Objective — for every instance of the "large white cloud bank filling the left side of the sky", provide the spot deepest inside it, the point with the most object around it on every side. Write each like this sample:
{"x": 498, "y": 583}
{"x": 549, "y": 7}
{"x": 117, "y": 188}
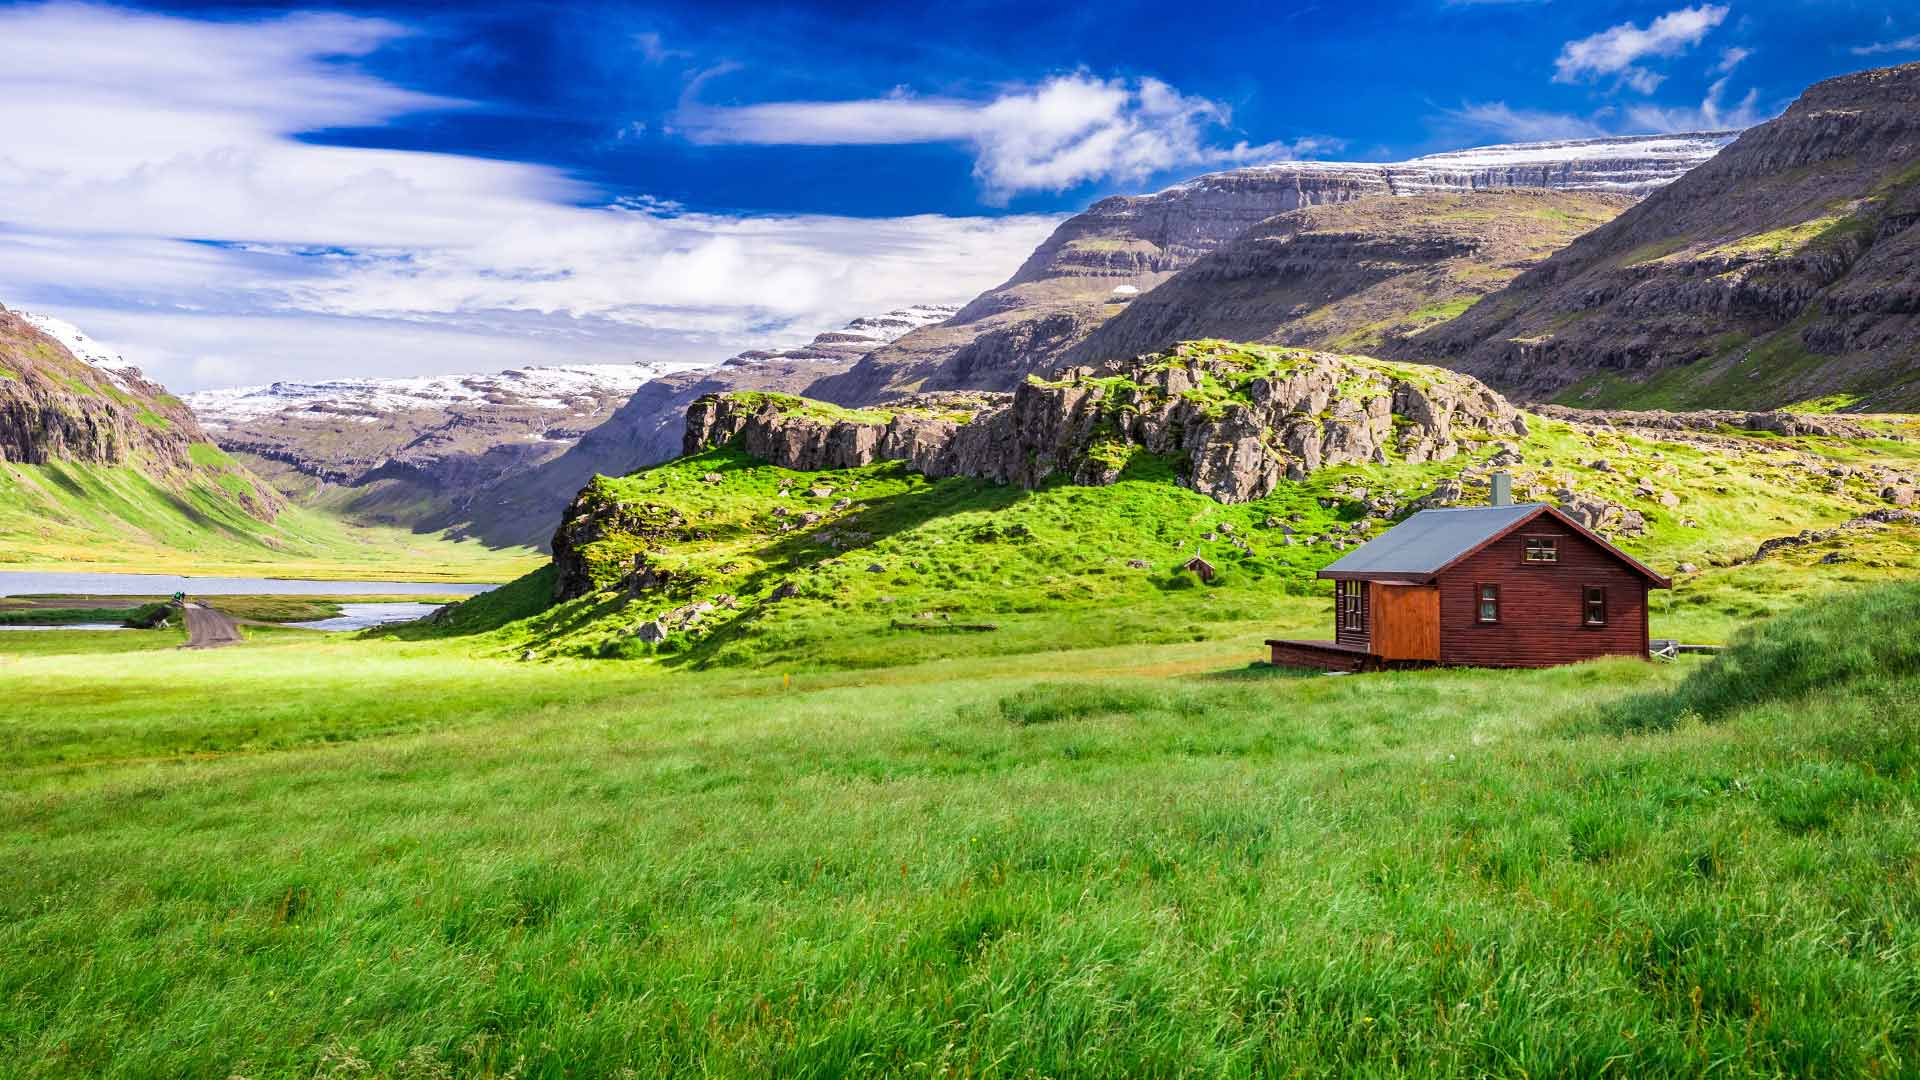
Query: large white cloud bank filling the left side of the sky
{"x": 151, "y": 166}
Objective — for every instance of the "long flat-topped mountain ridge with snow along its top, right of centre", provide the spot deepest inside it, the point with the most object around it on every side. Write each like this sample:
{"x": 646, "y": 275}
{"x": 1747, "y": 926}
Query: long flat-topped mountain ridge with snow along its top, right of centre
{"x": 1067, "y": 289}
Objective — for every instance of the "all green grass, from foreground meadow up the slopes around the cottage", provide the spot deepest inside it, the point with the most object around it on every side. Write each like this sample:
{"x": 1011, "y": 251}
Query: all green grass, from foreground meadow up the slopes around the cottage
{"x": 978, "y": 795}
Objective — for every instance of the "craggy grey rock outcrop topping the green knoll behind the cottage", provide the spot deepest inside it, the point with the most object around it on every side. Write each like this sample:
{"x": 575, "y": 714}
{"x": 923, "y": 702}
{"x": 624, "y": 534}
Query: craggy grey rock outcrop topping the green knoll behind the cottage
{"x": 1236, "y": 420}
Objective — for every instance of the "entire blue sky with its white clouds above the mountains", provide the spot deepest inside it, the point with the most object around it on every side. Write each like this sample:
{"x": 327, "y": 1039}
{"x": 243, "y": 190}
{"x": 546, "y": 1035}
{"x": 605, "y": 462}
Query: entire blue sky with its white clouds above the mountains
{"x": 239, "y": 193}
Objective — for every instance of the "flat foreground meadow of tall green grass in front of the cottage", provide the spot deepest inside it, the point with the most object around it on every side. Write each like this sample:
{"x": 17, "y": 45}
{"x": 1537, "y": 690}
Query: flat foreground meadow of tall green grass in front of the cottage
{"x": 385, "y": 858}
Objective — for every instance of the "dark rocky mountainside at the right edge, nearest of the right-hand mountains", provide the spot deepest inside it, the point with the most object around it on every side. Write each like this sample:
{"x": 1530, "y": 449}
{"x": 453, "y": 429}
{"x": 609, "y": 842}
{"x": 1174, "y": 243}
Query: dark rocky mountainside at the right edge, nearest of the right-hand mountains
{"x": 1788, "y": 268}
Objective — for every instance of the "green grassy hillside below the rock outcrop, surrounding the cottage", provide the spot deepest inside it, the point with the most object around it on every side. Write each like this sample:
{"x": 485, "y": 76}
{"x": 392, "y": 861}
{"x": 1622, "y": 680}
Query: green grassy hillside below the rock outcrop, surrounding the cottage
{"x": 1053, "y": 566}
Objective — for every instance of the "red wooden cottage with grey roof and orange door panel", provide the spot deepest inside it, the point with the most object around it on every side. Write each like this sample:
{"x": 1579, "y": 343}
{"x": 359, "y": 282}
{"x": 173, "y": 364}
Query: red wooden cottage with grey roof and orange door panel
{"x": 1491, "y": 587}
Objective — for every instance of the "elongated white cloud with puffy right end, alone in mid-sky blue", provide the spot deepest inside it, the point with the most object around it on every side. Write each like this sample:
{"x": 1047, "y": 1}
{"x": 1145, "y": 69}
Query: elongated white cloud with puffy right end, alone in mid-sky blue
{"x": 1057, "y": 135}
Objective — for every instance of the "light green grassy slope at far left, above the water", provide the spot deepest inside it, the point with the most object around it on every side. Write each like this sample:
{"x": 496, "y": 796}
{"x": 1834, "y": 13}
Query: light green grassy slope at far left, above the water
{"x": 93, "y": 518}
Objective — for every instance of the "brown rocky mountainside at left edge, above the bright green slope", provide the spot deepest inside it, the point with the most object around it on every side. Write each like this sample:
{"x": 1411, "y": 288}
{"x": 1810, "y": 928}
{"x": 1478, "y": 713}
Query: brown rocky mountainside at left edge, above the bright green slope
{"x": 60, "y": 408}
